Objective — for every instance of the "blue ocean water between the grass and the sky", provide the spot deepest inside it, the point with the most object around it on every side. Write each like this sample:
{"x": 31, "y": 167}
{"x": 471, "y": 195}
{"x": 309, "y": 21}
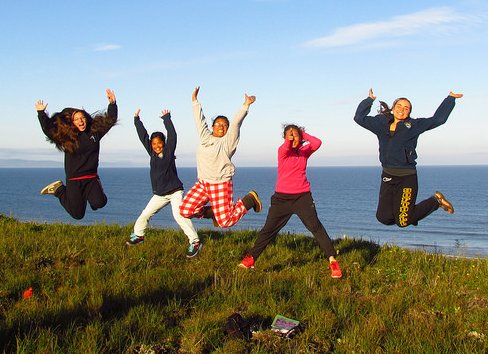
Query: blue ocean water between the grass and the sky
{"x": 345, "y": 198}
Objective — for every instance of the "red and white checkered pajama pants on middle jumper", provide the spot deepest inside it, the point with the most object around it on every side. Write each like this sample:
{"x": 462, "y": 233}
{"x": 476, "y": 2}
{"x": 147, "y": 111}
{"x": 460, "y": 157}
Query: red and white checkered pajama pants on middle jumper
{"x": 221, "y": 199}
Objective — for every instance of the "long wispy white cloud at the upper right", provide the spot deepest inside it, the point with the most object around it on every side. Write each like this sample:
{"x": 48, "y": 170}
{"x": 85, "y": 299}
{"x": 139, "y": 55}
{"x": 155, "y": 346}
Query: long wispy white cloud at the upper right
{"x": 436, "y": 19}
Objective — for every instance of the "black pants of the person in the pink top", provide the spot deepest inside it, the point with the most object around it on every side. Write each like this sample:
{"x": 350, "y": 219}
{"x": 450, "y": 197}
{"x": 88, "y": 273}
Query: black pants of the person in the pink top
{"x": 283, "y": 206}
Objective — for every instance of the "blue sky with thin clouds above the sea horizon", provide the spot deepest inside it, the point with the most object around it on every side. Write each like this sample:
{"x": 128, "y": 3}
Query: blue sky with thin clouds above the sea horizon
{"x": 307, "y": 62}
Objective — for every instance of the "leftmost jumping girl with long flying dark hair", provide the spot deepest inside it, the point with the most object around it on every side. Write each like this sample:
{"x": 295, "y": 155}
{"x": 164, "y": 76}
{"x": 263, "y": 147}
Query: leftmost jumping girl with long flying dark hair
{"x": 78, "y": 135}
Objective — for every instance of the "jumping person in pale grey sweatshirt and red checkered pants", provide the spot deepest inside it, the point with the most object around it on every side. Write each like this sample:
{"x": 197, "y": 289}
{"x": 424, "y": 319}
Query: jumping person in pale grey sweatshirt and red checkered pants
{"x": 215, "y": 170}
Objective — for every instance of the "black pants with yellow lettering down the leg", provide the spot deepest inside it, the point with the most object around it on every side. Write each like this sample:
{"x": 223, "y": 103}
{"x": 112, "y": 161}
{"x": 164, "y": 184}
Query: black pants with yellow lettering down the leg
{"x": 397, "y": 200}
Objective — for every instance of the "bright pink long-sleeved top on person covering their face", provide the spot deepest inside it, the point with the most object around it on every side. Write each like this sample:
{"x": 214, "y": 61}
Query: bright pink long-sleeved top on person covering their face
{"x": 292, "y": 165}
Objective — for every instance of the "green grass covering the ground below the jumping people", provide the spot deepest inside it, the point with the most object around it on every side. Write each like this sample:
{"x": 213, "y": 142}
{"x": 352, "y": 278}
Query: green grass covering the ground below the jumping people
{"x": 92, "y": 294}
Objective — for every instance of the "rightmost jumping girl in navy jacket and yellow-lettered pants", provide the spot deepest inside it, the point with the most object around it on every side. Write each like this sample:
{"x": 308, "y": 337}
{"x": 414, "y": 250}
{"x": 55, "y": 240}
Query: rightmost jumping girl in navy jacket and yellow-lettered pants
{"x": 397, "y": 135}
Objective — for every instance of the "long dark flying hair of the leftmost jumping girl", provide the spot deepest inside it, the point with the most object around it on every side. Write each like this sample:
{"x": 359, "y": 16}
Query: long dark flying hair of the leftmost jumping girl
{"x": 64, "y": 134}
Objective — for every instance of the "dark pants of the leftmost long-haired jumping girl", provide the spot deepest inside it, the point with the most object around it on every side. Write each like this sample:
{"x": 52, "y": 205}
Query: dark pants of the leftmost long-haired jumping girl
{"x": 74, "y": 196}
